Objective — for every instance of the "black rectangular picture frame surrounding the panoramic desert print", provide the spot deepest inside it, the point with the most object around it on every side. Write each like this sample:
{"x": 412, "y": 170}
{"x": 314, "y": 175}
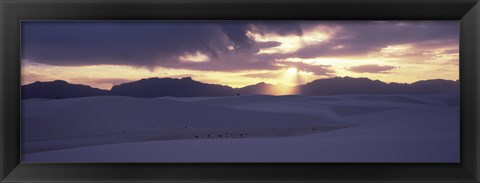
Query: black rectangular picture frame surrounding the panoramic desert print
{"x": 14, "y": 11}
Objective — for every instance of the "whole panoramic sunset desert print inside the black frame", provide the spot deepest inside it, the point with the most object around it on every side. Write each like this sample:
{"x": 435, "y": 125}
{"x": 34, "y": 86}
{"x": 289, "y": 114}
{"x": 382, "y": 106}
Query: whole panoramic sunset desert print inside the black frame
{"x": 240, "y": 91}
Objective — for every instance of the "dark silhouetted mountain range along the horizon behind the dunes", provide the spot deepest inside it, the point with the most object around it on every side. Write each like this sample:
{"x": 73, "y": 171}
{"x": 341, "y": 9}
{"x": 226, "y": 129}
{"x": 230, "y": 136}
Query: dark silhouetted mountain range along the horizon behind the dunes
{"x": 187, "y": 87}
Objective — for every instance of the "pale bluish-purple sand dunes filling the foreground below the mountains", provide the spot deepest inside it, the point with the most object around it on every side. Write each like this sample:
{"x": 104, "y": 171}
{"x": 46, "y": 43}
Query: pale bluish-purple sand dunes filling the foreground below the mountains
{"x": 257, "y": 128}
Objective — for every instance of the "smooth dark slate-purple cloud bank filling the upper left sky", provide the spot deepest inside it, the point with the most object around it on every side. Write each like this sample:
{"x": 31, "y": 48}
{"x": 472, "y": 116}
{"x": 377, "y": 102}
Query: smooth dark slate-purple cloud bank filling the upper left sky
{"x": 123, "y": 43}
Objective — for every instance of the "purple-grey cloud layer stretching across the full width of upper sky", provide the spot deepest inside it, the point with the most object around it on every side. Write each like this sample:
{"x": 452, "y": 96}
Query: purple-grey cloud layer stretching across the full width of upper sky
{"x": 160, "y": 43}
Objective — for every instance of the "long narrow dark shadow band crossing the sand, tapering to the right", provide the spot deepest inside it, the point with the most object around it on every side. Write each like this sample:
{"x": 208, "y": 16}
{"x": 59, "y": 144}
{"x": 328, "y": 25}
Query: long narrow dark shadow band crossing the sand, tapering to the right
{"x": 51, "y": 144}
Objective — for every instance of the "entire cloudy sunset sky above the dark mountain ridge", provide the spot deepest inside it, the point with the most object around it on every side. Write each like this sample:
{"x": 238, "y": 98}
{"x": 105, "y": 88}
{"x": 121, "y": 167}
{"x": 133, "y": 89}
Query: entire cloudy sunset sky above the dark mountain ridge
{"x": 238, "y": 53}
